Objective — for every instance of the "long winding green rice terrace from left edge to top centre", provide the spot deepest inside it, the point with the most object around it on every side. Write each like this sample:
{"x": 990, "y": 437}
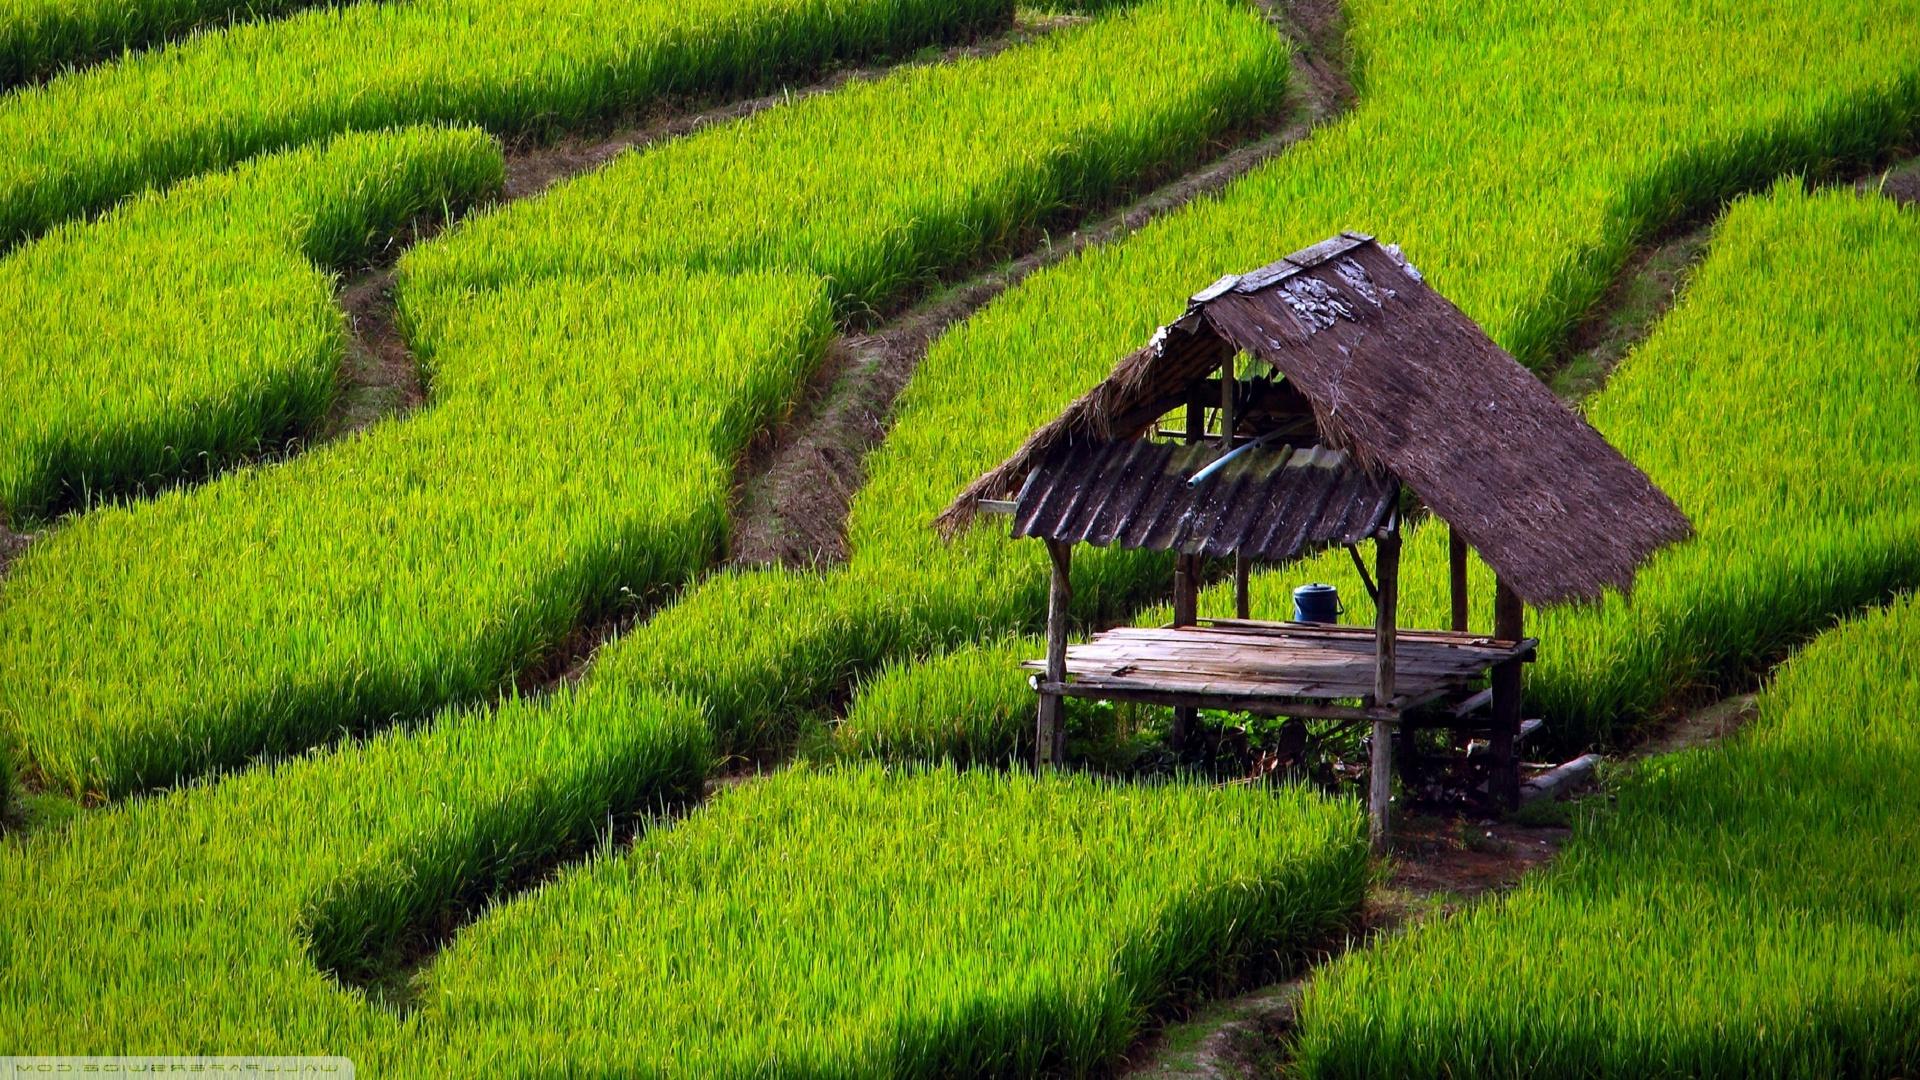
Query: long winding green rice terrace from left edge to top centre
{"x": 579, "y": 447}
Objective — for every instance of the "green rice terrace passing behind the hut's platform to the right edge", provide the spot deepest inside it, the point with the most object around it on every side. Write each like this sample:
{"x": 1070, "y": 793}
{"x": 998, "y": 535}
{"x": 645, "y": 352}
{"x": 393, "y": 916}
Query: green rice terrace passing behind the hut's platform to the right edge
{"x": 1806, "y": 514}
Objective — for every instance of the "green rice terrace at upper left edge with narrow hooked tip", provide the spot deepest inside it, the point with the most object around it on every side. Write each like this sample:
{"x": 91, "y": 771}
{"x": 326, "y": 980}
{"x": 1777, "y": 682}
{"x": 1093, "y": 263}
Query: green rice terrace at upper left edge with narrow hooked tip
{"x": 197, "y": 328}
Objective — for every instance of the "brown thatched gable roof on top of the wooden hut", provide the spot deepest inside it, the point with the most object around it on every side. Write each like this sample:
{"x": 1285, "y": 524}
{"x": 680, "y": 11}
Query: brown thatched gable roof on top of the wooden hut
{"x": 1412, "y": 389}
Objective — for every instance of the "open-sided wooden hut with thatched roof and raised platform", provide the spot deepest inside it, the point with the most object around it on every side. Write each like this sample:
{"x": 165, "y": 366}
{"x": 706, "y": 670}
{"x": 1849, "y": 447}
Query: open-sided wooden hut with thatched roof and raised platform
{"x": 1360, "y": 393}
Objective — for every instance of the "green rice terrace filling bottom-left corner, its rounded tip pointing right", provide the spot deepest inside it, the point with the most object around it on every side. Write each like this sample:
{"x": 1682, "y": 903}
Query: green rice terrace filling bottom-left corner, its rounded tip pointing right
{"x": 206, "y": 920}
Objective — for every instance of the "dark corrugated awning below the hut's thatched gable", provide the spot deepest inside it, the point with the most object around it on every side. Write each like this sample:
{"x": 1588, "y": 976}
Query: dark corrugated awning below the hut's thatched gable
{"x": 1270, "y": 503}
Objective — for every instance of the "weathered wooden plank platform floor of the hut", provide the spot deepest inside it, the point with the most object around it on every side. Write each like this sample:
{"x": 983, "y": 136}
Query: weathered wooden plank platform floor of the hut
{"x": 1276, "y": 668}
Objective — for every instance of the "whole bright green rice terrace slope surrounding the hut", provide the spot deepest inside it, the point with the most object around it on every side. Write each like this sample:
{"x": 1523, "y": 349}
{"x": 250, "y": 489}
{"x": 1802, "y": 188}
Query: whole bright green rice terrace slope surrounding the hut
{"x": 523, "y": 729}
